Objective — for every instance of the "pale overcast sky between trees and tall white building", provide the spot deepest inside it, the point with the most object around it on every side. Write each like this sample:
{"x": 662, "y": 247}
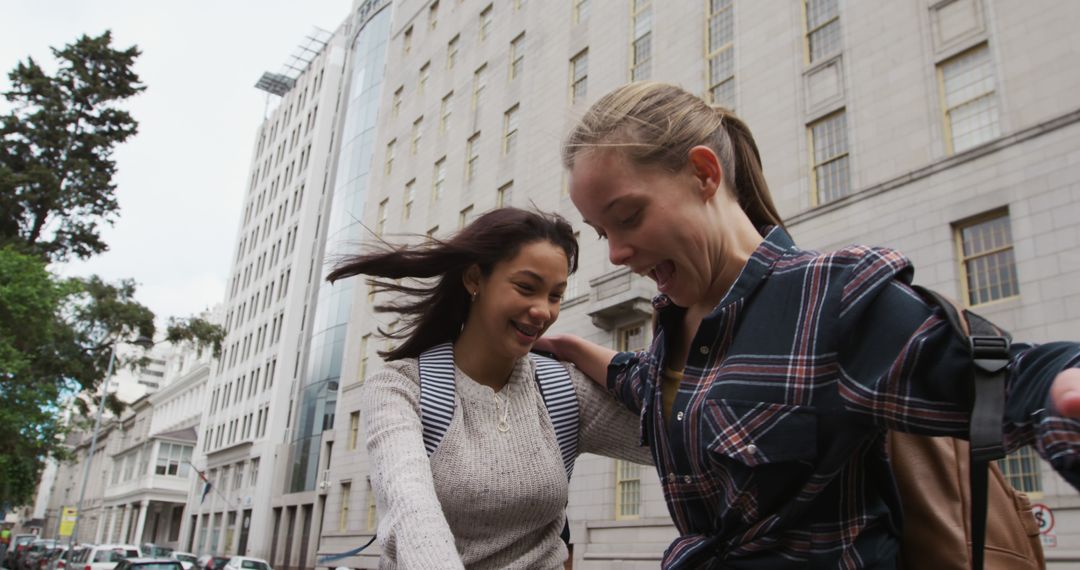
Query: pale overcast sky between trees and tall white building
{"x": 181, "y": 181}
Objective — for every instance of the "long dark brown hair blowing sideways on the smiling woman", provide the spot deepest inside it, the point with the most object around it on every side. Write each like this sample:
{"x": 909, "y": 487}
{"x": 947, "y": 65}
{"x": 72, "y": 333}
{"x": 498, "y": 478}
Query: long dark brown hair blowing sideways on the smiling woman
{"x": 436, "y": 313}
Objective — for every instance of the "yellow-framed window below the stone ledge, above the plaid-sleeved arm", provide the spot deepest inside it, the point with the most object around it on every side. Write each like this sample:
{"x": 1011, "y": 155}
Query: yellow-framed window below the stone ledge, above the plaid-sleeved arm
{"x": 988, "y": 264}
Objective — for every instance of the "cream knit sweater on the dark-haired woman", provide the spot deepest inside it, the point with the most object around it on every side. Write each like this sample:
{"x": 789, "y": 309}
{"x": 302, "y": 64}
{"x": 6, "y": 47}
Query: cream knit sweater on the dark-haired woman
{"x": 485, "y": 499}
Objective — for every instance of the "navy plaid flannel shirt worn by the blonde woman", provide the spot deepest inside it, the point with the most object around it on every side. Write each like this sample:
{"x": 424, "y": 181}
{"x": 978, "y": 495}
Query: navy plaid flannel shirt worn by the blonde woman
{"x": 775, "y": 453}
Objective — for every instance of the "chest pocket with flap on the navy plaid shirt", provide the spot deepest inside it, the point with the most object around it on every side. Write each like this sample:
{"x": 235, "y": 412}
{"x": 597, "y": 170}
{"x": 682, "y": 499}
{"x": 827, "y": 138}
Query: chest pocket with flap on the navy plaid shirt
{"x": 757, "y": 435}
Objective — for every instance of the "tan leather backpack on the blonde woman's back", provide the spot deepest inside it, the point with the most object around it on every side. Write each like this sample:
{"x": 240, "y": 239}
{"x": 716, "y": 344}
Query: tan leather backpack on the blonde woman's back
{"x": 960, "y": 511}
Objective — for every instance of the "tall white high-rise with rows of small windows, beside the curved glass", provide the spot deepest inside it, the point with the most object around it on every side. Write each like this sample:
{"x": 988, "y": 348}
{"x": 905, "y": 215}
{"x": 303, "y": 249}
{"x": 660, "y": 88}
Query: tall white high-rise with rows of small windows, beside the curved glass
{"x": 251, "y": 442}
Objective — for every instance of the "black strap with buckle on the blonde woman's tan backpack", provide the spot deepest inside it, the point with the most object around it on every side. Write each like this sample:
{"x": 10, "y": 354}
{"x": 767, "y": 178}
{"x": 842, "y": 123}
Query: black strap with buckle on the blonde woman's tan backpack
{"x": 990, "y": 355}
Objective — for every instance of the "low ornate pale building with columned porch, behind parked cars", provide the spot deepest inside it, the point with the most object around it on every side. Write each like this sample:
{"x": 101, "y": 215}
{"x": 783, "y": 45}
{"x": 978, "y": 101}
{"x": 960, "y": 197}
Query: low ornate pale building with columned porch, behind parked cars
{"x": 139, "y": 479}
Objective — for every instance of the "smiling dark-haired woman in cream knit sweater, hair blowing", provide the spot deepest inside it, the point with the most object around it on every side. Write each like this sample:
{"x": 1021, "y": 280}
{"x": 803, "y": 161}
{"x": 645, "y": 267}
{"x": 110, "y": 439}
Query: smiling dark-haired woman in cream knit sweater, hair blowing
{"x": 494, "y": 492}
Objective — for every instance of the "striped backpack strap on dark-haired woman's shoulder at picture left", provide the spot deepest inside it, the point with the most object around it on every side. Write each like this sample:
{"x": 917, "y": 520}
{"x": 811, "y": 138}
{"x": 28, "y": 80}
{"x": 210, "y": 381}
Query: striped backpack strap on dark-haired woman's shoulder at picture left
{"x": 437, "y": 395}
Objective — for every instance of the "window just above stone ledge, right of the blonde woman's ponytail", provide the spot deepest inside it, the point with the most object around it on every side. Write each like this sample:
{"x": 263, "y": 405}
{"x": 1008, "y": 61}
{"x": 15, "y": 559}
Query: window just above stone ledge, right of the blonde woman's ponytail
{"x": 829, "y": 144}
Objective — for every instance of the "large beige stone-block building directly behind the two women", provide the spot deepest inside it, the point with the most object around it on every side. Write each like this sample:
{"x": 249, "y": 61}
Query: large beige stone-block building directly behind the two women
{"x": 946, "y": 129}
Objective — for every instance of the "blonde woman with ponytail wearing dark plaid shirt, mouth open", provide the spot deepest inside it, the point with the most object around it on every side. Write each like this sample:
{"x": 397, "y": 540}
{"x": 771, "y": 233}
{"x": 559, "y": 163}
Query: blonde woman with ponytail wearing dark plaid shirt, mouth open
{"x": 775, "y": 372}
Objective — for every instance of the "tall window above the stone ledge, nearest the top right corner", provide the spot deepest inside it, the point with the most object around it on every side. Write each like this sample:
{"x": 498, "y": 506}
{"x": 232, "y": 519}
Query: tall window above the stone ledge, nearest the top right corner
{"x": 969, "y": 100}
